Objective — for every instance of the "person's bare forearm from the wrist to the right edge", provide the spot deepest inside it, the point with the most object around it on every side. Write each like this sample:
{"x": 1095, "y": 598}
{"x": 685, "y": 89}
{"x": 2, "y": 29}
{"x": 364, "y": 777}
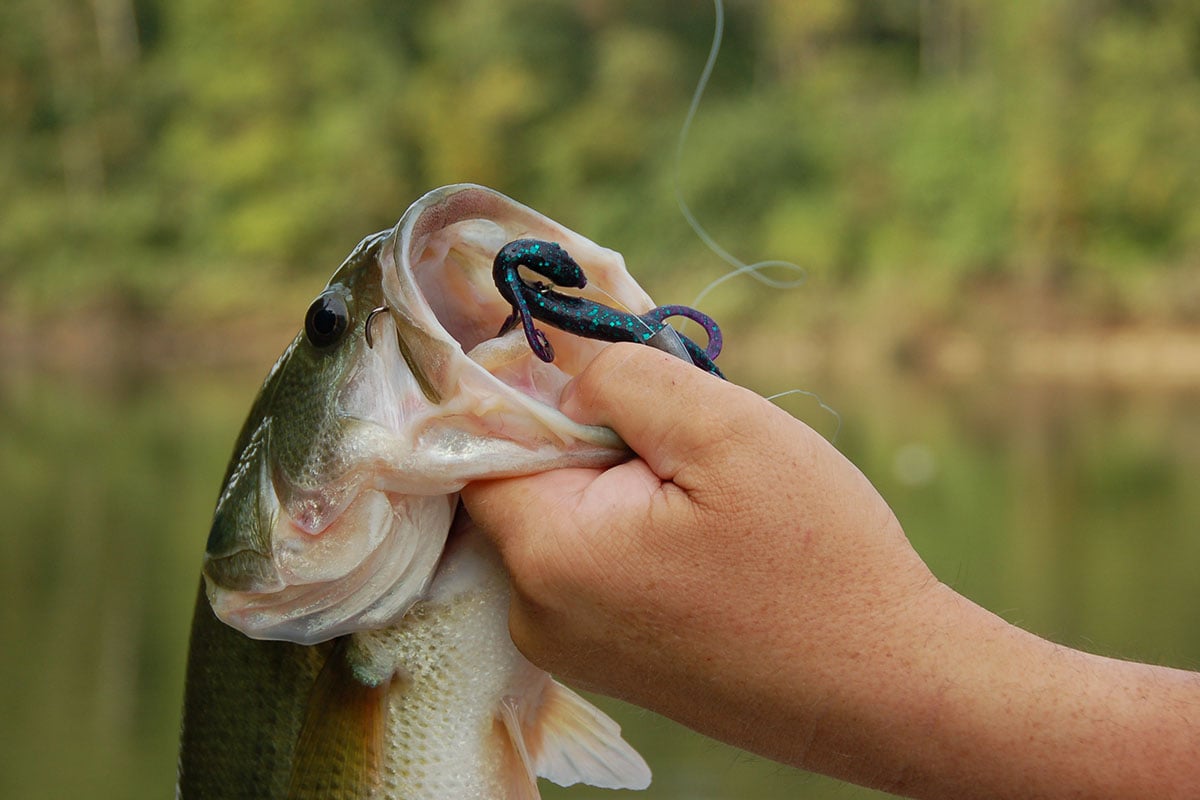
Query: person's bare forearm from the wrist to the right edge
{"x": 962, "y": 705}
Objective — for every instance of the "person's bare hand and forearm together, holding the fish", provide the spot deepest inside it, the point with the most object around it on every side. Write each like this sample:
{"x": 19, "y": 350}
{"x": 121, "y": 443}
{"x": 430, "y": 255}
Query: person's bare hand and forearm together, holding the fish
{"x": 745, "y": 579}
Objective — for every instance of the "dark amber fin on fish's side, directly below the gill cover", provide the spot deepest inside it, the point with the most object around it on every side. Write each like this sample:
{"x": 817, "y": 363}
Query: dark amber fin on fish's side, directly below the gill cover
{"x": 340, "y": 751}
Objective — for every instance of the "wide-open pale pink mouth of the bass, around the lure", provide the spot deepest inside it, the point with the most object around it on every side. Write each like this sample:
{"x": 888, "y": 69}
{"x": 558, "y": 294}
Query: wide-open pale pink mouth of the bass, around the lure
{"x": 443, "y": 287}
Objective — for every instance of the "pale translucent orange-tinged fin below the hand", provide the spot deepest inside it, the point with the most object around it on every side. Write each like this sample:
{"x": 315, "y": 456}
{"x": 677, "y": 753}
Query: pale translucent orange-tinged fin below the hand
{"x": 568, "y": 741}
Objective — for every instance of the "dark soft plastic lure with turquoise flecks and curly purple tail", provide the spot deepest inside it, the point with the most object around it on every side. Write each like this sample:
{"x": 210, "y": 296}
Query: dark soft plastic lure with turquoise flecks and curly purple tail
{"x": 584, "y": 317}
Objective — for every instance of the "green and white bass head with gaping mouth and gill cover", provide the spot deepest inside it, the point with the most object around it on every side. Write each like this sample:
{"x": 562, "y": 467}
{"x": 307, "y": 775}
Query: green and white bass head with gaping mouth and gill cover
{"x": 344, "y": 483}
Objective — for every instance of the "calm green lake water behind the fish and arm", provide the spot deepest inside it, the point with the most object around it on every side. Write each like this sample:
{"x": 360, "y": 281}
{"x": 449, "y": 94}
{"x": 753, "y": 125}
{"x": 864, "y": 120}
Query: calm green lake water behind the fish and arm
{"x": 1072, "y": 513}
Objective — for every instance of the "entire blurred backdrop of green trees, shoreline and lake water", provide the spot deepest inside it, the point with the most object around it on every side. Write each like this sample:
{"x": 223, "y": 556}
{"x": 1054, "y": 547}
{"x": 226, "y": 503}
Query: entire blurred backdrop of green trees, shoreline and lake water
{"x": 995, "y": 206}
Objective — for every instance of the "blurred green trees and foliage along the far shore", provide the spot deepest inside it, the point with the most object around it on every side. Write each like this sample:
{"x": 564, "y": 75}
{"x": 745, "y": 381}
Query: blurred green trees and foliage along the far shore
{"x": 154, "y": 148}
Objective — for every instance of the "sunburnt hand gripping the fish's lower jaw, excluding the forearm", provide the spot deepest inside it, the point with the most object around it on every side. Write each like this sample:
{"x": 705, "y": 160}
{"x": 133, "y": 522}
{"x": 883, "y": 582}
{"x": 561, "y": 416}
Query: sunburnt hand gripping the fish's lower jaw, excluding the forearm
{"x": 740, "y": 575}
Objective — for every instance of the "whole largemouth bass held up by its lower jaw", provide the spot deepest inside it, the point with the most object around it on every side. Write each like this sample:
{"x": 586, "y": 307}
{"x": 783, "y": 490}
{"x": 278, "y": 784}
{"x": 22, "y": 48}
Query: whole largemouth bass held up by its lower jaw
{"x": 350, "y": 637}
